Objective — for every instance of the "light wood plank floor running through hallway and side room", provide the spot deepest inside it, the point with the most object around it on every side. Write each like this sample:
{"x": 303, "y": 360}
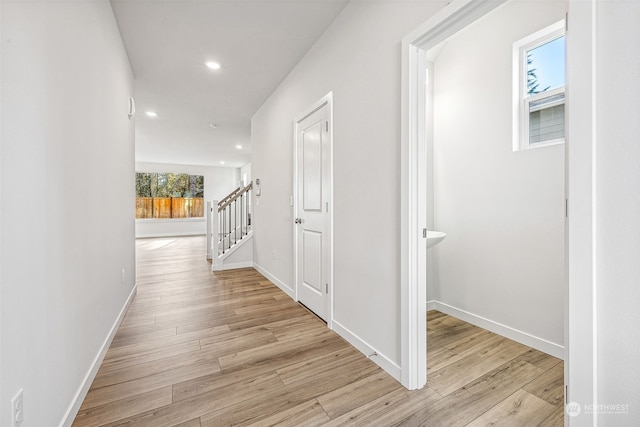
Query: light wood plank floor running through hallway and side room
{"x": 198, "y": 348}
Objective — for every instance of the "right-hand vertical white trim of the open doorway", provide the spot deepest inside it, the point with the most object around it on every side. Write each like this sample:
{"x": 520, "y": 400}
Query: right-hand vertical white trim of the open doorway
{"x": 581, "y": 155}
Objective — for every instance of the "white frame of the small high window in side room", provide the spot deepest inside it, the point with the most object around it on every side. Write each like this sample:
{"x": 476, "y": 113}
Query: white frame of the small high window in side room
{"x": 521, "y": 99}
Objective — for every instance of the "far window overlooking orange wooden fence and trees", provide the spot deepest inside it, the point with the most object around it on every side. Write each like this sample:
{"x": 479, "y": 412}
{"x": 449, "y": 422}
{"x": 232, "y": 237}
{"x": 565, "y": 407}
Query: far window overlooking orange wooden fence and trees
{"x": 169, "y": 195}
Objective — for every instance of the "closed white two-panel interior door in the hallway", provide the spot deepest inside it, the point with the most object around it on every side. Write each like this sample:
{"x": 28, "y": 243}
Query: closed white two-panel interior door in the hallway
{"x": 312, "y": 209}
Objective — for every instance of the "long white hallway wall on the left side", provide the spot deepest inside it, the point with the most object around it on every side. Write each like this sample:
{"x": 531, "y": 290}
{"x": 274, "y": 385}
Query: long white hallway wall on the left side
{"x": 67, "y": 197}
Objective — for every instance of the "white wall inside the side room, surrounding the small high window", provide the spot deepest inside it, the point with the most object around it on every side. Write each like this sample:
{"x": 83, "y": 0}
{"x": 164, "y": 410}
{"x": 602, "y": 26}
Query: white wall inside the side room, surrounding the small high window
{"x": 503, "y": 211}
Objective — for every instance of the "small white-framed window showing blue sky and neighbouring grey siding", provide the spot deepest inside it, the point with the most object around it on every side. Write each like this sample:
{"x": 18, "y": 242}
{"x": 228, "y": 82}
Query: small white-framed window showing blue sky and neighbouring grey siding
{"x": 539, "y": 82}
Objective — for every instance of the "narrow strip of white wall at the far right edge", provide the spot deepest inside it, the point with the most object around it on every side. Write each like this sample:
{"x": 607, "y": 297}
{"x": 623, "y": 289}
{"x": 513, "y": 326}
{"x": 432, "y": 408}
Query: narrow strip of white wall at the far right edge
{"x": 618, "y": 210}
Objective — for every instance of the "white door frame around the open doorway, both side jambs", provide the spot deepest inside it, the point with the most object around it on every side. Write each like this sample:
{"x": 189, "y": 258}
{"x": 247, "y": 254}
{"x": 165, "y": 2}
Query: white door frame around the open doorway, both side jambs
{"x": 580, "y": 281}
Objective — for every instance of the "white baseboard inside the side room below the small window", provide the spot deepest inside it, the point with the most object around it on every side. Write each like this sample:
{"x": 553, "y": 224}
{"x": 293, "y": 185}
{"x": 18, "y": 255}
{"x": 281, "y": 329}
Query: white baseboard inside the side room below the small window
{"x": 529, "y": 340}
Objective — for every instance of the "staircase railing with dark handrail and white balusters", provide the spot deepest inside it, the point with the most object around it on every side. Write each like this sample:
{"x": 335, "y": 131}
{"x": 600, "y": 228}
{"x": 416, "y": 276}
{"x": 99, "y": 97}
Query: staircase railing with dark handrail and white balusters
{"x": 229, "y": 233}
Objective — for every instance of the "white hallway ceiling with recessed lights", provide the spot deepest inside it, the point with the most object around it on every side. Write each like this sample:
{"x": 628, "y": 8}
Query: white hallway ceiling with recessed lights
{"x": 168, "y": 41}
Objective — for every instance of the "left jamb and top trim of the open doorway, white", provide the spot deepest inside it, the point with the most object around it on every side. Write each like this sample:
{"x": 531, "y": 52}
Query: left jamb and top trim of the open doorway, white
{"x": 452, "y": 18}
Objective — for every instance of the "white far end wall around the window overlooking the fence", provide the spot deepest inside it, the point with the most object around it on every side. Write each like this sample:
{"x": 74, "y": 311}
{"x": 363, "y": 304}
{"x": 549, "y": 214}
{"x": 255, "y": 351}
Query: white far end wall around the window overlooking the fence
{"x": 218, "y": 182}
